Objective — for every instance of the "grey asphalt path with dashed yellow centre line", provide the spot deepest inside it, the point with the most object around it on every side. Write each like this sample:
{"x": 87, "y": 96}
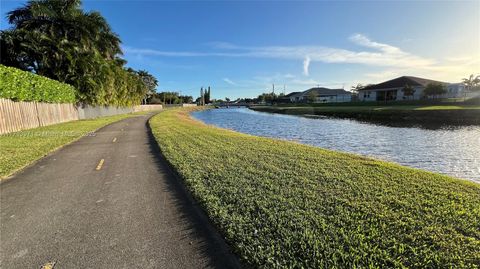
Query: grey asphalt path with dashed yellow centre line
{"x": 106, "y": 201}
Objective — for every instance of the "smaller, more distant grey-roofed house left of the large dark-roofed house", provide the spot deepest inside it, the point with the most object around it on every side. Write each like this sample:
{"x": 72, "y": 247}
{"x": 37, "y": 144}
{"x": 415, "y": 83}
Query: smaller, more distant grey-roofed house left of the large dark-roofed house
{"x": 322, "y": 95}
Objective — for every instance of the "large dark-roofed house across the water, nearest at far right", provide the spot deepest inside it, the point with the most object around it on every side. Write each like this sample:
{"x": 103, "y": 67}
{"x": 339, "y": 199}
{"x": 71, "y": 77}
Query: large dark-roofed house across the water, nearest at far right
{"x": 393, "y": 90}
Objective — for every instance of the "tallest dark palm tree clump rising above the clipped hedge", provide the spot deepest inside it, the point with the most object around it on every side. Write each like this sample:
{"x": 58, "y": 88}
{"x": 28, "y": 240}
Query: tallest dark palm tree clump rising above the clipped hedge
{"x": 57, "y": 39}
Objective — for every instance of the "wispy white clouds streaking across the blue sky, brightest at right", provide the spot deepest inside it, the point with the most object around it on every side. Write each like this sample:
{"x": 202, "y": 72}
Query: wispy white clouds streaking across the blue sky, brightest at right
{"x": 391, "y": 60}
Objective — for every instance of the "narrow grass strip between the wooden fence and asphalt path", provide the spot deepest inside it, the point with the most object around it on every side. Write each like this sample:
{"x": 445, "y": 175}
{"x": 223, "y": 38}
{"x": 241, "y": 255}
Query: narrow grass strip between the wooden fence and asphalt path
{"x": 20, "y": 149}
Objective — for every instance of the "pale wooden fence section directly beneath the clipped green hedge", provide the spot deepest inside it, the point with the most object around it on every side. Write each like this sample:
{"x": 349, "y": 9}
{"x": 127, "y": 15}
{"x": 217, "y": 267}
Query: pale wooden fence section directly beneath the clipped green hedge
{"x": 16, "y": 116}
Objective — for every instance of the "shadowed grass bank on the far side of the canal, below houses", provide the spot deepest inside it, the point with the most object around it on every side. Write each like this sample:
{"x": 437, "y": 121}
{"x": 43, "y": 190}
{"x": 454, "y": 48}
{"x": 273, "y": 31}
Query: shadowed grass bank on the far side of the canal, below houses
{"x": 439, "y": 114}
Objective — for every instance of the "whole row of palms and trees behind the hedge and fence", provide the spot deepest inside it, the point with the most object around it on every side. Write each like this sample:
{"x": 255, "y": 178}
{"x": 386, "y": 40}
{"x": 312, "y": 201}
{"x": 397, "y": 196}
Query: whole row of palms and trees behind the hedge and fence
{"x": 59, "y": 40}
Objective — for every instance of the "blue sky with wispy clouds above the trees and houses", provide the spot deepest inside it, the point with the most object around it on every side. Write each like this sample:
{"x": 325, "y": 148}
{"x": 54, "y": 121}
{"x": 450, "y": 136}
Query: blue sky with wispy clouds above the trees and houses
{"x": 241, "y": 48}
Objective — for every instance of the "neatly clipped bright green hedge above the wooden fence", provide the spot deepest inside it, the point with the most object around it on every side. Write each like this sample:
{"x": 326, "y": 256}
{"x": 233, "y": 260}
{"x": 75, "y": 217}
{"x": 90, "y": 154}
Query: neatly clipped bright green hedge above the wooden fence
{"x": 21, "y": 85}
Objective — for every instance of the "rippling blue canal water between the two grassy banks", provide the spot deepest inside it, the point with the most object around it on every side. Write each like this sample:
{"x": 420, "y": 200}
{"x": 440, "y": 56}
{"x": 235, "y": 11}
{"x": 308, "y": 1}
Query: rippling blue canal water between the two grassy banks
{"x": 450, "y": 151}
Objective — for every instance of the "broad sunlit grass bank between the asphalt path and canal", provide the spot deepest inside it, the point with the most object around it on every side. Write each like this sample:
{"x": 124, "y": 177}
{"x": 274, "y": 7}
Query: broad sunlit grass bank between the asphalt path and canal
{"x": 283, "y": 205}
